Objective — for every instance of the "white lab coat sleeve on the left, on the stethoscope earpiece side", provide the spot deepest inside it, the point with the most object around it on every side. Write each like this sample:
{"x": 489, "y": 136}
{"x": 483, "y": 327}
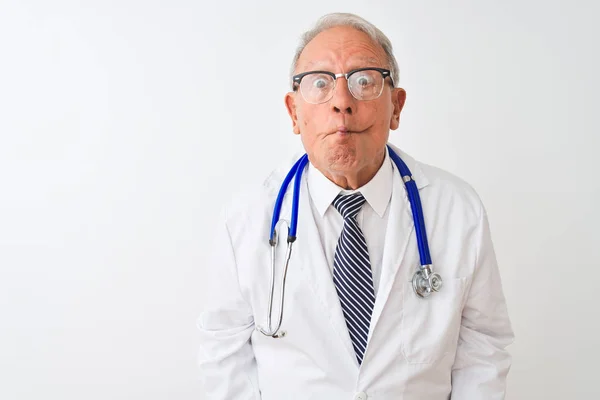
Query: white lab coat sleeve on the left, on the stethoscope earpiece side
{"x": 226, "y": 360}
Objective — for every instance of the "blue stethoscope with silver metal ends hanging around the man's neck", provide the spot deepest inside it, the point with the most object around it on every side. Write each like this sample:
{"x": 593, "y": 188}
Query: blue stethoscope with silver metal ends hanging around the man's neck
{"x": 424, "y": 281}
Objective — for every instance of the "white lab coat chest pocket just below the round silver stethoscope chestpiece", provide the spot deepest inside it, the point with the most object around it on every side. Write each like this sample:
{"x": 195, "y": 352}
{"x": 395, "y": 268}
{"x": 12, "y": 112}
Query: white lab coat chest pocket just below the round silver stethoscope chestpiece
{"x": 430, "y": 326}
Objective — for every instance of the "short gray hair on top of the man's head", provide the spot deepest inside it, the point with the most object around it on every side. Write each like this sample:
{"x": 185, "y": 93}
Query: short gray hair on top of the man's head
{"x": 345, "y": 19}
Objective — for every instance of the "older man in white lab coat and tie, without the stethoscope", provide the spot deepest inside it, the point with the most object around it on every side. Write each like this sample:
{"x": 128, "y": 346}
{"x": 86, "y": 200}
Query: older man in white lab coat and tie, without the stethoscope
{"x": 354, "y": 327}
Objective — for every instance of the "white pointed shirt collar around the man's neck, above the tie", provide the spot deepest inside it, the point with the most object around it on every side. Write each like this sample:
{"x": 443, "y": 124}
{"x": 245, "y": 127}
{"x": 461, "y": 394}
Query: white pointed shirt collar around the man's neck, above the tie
{"x": 377, "y": 191}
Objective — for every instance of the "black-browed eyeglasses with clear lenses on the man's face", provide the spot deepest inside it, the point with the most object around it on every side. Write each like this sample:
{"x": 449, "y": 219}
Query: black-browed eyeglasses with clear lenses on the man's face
{"x": 317, "y": 87}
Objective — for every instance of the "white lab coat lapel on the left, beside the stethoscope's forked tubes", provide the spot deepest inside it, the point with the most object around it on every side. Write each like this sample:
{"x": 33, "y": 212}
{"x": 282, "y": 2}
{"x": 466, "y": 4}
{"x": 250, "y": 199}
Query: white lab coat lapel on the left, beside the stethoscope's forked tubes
{"x": 309, "y": 256}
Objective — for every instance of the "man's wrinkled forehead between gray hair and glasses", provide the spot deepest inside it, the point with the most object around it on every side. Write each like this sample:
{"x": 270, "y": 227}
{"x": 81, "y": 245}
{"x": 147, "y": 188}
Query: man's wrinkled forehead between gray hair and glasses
{"x": 341, "y": 47}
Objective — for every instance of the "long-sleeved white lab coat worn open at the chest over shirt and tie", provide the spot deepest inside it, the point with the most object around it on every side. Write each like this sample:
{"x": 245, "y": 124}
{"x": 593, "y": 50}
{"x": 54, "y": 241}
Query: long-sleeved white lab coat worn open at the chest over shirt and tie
{"x": 450, "y": 345}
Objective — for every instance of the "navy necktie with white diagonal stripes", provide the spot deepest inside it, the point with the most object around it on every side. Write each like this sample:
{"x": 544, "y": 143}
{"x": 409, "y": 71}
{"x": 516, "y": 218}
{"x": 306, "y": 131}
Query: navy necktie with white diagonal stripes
{"x": 352, "y": 273}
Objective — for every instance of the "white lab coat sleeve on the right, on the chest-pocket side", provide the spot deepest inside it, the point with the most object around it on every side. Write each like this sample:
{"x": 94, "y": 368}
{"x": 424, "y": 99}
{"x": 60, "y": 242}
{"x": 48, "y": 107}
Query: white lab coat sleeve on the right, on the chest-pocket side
{"x": 482, "y": 362}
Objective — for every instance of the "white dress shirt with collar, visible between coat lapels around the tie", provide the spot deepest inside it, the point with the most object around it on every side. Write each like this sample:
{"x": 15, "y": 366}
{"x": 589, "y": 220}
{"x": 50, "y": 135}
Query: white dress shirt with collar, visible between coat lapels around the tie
{"x": 372, "y": 218}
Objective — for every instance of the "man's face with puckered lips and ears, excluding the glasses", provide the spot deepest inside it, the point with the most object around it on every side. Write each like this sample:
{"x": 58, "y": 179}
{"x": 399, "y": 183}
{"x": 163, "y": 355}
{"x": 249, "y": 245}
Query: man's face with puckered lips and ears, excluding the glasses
{"x": 344, "y": 135}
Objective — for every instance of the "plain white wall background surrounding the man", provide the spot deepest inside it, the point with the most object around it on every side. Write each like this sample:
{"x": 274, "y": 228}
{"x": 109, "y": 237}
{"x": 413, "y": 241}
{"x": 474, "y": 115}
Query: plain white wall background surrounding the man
{"x": 124, "y": 124}
